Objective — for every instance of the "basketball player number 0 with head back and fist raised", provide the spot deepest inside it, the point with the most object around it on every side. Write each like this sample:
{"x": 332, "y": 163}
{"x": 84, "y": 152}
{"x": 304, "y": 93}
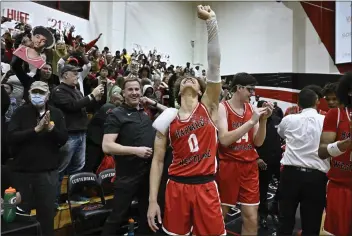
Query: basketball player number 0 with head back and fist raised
{"x": 191, "y": 200}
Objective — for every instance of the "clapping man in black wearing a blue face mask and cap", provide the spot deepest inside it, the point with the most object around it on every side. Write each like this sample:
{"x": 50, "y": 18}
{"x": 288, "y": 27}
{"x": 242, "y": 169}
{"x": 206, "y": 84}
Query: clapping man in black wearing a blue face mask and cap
{"x": 36, "y": 132}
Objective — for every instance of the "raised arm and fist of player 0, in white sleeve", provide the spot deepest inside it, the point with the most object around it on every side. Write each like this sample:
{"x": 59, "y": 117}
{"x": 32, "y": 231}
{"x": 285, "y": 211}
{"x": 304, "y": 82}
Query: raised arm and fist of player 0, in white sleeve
{"x": 212, "y": 93}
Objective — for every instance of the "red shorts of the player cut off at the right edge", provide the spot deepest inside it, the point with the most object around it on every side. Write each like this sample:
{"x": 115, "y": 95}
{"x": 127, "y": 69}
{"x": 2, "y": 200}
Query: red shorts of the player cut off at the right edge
{"x": 338, "y": 219}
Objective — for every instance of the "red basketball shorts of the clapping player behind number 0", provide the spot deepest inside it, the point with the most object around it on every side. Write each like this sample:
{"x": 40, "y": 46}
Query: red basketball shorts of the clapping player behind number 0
{"x": 238, "y": 183}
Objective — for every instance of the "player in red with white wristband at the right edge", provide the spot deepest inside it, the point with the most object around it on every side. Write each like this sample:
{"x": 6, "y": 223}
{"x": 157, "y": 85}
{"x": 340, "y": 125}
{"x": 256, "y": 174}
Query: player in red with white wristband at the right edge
{"x": 335, "y": 143}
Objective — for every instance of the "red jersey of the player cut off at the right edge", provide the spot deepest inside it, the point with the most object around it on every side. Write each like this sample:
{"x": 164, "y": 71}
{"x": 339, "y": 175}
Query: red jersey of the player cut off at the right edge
{"x": 341, "y": 166}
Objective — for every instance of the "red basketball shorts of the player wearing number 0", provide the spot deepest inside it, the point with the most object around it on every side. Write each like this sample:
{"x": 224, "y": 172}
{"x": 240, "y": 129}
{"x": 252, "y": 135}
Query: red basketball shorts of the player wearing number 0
{"x": 193, "y": 208}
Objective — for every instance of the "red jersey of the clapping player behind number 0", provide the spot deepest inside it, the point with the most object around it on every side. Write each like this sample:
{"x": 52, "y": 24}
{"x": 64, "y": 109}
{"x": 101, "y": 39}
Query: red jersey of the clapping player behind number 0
{"x": 243, "y": 149}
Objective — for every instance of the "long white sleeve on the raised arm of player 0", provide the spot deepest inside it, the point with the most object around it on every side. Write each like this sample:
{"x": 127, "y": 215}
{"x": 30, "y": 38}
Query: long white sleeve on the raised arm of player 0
{"x": 214, "y": 55}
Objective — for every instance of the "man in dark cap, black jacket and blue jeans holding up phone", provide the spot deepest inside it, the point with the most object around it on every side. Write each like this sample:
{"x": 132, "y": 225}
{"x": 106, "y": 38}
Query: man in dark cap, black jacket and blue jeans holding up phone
{"x": 71, "y": 102}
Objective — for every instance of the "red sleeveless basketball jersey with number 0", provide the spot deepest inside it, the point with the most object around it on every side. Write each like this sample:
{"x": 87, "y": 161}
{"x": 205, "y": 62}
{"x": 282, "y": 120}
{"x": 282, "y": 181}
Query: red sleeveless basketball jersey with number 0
{"x": 194, "y": 143}
